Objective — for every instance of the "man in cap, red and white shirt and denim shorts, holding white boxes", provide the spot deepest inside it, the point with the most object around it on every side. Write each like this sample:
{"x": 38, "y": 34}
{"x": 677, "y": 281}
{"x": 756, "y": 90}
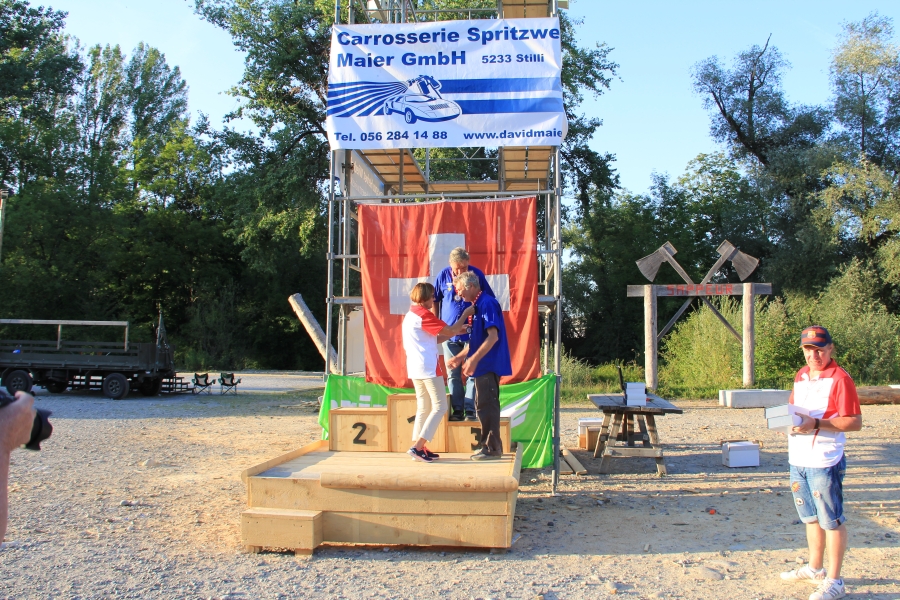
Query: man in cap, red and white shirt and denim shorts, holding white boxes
{"x": 830, "y": 406}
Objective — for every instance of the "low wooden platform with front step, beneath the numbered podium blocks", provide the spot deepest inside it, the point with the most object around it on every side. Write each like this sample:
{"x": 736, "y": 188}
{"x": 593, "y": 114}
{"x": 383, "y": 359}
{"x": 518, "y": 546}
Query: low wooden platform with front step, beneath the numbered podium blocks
{"x": 314, "y": 495}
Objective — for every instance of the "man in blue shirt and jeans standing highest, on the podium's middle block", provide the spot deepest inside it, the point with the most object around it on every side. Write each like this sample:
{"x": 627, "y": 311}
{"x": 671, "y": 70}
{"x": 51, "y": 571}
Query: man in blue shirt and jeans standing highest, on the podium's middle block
{"x": 449, "y": 305}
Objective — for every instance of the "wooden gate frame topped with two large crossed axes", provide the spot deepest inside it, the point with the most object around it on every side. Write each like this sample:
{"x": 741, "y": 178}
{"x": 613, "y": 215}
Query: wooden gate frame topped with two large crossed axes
{"x": 744, "y": 265}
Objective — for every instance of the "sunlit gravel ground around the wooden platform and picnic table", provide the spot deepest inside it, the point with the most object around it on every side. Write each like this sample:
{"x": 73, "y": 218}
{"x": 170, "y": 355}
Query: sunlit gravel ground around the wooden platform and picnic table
{"x": 141, "y": 498}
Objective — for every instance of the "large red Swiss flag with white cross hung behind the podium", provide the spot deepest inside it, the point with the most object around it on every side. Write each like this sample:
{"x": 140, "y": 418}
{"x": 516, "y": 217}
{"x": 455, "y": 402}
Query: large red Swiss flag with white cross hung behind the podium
{"x": 402, "y": 244}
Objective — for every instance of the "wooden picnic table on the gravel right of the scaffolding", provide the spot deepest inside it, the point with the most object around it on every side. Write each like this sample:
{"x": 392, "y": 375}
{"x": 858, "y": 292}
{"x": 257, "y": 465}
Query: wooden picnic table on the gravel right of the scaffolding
{"x": 630, "y": 424}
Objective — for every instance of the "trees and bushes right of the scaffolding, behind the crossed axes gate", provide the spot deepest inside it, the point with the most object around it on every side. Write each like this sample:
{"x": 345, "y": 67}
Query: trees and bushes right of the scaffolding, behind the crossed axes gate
{"x": 810, "y": 190}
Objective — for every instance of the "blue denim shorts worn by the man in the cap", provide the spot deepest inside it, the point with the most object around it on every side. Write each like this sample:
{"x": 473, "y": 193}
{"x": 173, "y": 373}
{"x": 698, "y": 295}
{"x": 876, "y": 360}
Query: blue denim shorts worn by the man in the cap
{"x": 819, "y": 494}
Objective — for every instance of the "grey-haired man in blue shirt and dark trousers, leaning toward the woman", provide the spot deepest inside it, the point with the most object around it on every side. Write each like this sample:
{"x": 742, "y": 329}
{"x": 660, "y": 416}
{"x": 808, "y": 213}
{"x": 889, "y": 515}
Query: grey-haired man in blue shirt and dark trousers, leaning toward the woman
{"x": 484, "y": 359}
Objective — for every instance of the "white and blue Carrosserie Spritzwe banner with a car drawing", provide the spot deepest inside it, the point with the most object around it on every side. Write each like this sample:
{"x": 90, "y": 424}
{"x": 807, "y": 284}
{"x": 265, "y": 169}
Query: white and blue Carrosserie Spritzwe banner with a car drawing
{"x": 446, "y": 83}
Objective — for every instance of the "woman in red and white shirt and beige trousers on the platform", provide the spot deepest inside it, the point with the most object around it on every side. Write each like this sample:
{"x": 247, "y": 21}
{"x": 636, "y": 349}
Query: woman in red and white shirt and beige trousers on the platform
{"x": 422, "y": 332}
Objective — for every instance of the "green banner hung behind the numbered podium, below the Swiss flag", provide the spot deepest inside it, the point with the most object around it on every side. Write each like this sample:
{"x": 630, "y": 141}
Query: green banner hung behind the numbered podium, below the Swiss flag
{"x": 529, "y": 406}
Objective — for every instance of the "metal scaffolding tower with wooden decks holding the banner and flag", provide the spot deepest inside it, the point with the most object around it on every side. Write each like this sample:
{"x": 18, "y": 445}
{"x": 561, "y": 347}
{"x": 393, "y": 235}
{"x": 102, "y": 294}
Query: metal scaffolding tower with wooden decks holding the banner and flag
{"x": 405, "y": 175}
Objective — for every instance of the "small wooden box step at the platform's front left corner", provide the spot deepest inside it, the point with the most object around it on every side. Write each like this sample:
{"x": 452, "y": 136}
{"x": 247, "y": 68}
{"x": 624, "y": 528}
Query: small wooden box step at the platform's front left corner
{"x": 297, "y": 530}
